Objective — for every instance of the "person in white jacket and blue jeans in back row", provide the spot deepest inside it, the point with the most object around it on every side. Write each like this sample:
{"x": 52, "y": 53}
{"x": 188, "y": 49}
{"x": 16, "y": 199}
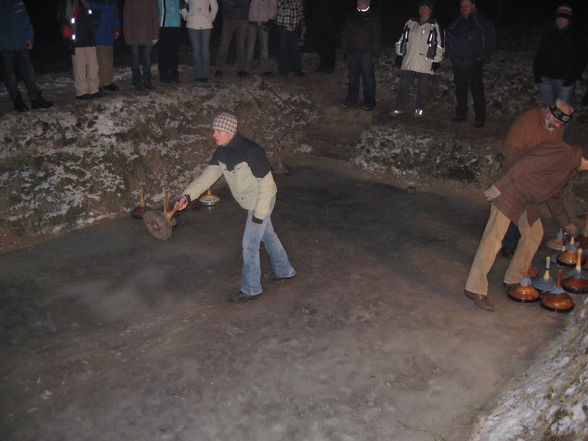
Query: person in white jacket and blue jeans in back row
{"x": 199, "y": 16}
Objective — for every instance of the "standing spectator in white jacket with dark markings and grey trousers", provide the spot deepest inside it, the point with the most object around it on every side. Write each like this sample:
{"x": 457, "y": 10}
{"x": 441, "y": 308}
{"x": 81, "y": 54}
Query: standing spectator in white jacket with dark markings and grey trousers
{"x": 419, "y": 51}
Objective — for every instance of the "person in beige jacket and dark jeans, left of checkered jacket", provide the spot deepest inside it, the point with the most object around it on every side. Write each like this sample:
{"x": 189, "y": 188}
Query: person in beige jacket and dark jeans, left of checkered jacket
{"x": 261, "y": 15}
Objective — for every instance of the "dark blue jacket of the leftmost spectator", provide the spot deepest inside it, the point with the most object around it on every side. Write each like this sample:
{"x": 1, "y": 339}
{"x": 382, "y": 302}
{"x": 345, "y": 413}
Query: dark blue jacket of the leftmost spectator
{"x": 15, "y": 26}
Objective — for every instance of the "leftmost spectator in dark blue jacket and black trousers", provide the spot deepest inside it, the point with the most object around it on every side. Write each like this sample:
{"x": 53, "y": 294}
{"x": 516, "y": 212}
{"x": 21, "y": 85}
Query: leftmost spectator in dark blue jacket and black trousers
{"x": 16, "y": 40}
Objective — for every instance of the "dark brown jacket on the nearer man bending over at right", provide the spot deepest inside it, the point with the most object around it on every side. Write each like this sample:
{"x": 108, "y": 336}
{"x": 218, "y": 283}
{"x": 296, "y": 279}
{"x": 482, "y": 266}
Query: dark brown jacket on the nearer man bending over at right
{"x": 536, "y": 177}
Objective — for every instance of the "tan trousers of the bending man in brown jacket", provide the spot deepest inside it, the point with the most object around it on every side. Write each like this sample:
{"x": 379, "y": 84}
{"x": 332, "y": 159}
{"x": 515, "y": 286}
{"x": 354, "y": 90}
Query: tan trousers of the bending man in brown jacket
{"x": 490, "y": 244}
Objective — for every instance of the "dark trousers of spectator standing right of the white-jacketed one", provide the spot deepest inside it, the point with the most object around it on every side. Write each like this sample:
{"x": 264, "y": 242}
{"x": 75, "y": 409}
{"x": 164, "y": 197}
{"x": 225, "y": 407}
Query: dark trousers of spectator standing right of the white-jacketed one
{"x": 470, "y": 79}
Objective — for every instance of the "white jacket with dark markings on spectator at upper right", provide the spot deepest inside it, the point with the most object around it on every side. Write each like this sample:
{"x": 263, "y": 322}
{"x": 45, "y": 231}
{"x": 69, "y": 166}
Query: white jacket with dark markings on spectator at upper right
{"x": 421, "y": 45}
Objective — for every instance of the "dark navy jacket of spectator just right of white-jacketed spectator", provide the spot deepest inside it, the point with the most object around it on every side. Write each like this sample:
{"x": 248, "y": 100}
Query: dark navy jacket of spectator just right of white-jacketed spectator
{"x": 470, "y": 40}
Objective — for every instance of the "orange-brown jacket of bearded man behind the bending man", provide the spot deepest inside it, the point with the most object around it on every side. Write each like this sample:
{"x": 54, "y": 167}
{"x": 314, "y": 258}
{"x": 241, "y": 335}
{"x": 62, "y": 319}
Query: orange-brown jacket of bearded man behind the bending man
{"x": 526, "y": 132}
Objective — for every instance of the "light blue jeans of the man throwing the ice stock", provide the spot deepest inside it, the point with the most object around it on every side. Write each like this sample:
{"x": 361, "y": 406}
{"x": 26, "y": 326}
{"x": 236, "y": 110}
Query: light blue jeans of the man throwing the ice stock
{"x": 252, "y": 237}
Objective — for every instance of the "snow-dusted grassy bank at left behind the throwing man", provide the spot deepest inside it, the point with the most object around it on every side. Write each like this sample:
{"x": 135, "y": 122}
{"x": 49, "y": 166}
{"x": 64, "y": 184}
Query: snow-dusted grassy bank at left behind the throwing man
{"x": 72, "y": 166}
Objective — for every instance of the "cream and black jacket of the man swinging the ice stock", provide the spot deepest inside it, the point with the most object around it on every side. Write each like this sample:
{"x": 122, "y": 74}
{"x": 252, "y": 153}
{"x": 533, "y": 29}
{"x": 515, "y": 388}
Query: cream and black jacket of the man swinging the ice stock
{"x": 246, "y": 169}
